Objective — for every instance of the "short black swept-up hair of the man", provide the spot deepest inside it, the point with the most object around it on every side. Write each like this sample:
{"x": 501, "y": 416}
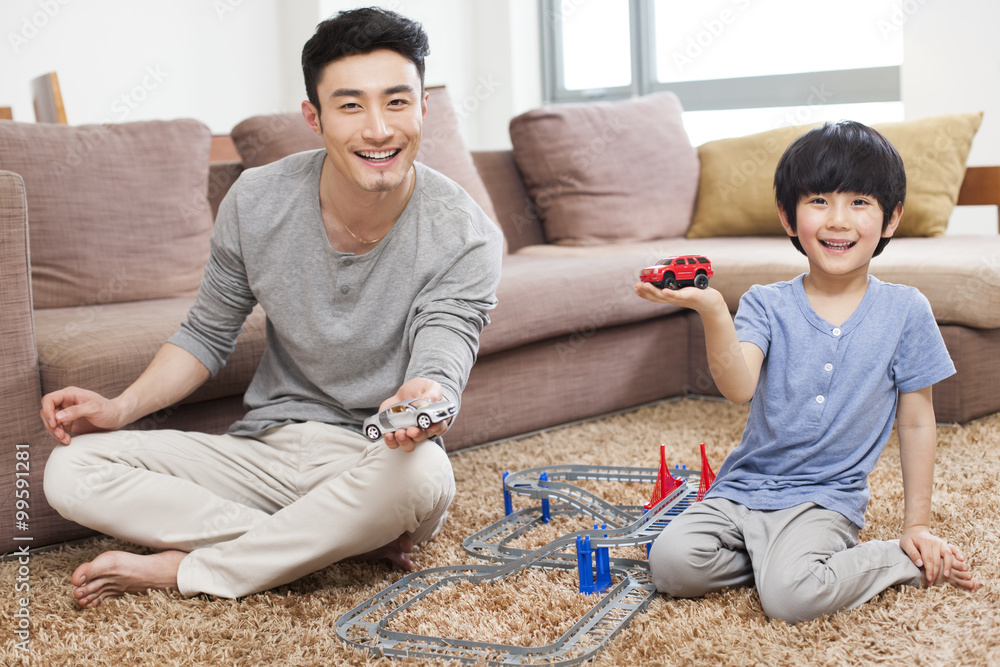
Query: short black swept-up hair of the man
{"x": 360, "y": 31}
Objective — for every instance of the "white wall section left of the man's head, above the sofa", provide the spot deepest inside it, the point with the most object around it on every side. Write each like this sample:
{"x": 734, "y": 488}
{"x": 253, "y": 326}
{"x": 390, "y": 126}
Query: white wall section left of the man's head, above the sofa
{"x": 121, "y": 60}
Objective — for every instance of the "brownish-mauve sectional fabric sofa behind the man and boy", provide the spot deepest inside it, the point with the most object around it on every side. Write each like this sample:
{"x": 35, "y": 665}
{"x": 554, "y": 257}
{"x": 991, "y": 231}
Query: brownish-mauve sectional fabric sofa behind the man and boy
{"x": 568, "y": 340}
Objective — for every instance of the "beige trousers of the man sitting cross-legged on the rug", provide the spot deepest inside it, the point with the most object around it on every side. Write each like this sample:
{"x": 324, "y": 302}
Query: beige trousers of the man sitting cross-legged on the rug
{"x": 253, "y": 513}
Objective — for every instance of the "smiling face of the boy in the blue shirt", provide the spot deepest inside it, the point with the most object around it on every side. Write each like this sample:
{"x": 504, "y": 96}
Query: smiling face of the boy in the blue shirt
{"x": 839, "y": 231}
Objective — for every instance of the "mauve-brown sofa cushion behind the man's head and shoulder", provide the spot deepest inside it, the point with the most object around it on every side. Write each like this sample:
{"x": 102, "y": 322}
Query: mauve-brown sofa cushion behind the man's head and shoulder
{"x": 264, "y": 139}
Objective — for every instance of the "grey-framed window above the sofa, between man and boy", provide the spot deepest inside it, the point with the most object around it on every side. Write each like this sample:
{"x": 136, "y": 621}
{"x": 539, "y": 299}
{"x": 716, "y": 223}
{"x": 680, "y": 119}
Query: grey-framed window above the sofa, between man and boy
{"x": 738, "y": 66}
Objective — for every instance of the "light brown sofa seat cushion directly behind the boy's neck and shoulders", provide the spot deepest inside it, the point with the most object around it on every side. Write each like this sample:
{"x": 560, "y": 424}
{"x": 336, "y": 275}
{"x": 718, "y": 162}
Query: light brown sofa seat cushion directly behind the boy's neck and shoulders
{"x": 959, "y": 275}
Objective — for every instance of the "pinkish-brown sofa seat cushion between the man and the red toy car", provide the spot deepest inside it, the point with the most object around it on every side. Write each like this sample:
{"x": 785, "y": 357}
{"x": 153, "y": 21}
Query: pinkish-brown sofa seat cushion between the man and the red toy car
{"x": 542, "y": 298}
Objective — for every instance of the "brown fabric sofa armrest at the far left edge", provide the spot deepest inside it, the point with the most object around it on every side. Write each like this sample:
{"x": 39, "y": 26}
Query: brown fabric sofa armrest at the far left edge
{"x": 22, "y": 438}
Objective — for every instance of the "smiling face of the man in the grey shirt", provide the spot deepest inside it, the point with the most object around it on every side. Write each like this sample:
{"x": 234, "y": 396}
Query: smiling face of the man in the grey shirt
{"x": 371, "y": 116}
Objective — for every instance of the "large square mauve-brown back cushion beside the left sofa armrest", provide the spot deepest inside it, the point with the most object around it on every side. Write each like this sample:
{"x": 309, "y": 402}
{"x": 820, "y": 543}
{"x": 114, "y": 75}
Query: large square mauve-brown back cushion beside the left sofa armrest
{"x": 116, "y": 212}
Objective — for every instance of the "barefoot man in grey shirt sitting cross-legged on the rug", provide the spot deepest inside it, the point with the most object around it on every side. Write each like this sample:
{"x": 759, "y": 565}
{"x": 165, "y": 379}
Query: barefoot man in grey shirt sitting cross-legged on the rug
{"x": 376, "y": 274}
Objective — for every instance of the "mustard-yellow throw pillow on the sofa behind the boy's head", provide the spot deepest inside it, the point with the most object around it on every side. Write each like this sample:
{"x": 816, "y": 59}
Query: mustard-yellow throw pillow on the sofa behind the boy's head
{"x": 736, "y": 192}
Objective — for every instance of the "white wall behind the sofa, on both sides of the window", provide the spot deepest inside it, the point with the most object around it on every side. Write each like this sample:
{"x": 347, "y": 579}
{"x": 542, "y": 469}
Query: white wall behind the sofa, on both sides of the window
{"x": 223, "y": 60}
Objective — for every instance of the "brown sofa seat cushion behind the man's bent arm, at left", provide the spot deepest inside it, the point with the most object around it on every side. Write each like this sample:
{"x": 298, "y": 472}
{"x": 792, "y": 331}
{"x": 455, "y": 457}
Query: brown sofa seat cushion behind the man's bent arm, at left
{"x": 105, "y": 348}
